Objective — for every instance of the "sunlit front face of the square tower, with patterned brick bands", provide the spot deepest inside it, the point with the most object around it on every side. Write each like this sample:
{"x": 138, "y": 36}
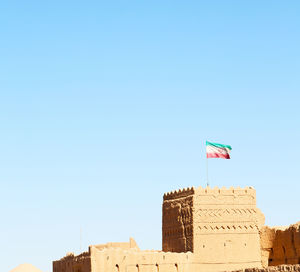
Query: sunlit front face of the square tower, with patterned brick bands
{"x": 226, "y": 226}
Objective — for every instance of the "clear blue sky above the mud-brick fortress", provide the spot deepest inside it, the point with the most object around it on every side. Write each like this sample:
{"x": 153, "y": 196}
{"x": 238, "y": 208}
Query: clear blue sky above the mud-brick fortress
{"x": 104, "y": 106}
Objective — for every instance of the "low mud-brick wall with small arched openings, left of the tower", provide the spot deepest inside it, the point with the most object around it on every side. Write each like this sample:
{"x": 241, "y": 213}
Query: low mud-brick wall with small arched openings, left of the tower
{"x": 126, "y": 257}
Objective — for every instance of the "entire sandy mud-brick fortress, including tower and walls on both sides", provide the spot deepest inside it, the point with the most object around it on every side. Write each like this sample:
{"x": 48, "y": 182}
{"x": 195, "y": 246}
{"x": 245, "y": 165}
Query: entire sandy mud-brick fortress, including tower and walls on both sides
{"x": 203, "y": 229}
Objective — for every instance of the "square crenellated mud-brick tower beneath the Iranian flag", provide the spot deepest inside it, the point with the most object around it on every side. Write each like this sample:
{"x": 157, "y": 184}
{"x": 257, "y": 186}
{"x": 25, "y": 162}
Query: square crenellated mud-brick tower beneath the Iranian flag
{"x": 219, "y": 225}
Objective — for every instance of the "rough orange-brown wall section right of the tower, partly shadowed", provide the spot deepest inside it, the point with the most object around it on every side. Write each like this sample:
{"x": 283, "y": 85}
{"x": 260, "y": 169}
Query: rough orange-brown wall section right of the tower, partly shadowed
{"x": 280, "y": 245}
